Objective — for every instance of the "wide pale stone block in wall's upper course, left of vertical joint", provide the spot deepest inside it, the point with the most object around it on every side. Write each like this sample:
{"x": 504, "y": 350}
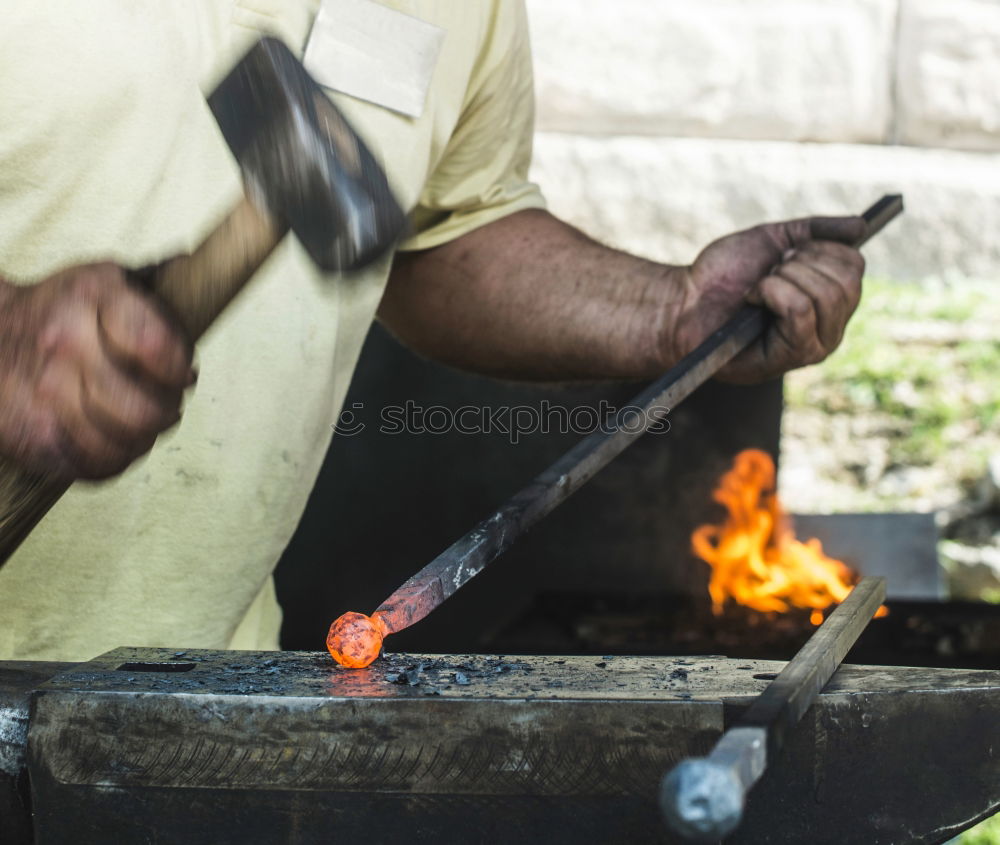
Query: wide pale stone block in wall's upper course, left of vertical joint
{"x": 788, "y": 69}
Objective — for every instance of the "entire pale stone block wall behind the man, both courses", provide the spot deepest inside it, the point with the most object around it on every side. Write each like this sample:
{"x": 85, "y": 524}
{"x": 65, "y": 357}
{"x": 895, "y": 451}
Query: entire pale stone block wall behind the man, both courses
{"x": 664, "y": 123}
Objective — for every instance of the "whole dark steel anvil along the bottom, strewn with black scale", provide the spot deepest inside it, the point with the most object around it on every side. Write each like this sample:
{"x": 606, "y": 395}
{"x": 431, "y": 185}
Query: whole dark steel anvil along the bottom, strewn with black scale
{"x": 216, "y": 747}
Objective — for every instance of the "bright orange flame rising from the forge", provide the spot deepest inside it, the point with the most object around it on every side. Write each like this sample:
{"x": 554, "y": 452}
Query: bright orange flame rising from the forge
{"x": 756, "y": 560}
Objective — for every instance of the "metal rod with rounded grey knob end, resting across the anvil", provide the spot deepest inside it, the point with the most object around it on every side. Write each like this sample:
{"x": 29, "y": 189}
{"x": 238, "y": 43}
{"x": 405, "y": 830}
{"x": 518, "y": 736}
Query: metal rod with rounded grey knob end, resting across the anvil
{"x": 702, "y": 798}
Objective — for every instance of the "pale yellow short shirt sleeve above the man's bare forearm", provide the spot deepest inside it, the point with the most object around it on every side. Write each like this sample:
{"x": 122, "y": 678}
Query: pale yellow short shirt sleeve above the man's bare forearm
{"x": 483, "y": 173}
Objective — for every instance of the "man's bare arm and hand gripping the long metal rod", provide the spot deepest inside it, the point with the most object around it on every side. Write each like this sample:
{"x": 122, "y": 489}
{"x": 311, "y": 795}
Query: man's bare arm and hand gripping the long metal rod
{"x": 530, "y": 297}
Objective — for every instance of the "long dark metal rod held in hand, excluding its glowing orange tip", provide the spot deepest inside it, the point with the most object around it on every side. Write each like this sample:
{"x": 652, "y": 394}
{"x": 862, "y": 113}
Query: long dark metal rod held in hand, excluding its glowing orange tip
{"x": 466, "y": 558}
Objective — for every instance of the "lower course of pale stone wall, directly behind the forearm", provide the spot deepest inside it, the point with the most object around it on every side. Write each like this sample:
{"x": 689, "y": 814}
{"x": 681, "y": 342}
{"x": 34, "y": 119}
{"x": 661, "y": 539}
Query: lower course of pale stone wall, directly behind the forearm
{"x": 666, "y": 198}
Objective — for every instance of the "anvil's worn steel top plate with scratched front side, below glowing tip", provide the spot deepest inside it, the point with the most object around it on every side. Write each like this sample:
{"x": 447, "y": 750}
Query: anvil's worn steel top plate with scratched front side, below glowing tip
{"x": 489, "y": 726}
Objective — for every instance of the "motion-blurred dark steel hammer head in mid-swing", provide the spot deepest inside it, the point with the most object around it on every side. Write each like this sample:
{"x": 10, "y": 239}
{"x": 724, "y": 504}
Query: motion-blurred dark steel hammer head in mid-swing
{"x": 302, "y": 162}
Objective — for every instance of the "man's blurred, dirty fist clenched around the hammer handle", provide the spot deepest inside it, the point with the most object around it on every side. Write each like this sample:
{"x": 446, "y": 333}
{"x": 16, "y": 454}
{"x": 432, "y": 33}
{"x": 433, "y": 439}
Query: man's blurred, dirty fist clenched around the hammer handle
{"x": 91, "y": 371}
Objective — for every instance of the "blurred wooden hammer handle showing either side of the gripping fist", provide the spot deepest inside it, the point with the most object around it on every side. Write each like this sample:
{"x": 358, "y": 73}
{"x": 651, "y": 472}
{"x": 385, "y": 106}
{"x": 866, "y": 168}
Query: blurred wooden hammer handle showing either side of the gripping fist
{"x": 196, "y": 288}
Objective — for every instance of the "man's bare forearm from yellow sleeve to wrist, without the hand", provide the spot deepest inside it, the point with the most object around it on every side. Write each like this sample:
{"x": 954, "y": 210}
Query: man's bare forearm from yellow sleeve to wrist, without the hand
{"x": 530, "y": 297}
